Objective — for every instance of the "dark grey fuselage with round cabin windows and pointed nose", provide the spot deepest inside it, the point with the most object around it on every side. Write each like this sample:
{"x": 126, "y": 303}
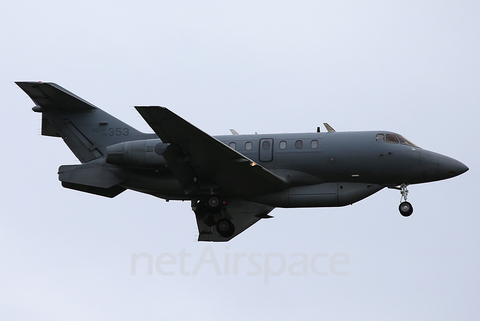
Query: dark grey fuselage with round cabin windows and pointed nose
{"x": 380, "y": 158}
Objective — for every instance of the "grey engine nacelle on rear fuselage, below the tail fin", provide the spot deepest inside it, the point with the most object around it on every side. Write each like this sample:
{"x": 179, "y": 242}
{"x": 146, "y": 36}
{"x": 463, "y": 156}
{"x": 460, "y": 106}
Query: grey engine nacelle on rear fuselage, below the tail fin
{"x": 138, "y": 153}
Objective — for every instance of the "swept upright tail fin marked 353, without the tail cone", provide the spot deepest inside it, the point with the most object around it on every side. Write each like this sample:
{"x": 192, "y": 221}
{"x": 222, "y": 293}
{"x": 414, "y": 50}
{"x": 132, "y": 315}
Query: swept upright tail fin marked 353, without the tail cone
{"x": 85, "y": 128}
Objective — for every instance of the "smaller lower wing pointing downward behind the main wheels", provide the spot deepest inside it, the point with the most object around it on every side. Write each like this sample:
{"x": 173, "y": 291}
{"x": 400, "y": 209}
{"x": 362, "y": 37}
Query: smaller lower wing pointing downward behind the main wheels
{"x": 242, "y": 214}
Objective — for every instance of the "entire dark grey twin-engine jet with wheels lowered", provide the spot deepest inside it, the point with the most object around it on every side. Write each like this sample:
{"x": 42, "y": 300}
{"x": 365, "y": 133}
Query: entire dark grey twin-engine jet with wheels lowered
{"x": 232, "y": 181}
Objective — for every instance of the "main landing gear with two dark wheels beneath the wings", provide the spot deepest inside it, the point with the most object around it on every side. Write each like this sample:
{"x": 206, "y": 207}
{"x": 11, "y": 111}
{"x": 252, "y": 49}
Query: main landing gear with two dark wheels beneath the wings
{"x": 212, "y": 212}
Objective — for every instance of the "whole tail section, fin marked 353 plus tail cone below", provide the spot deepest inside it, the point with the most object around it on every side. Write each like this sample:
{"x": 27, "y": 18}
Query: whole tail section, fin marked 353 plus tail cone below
{"x": 87, "y": 130}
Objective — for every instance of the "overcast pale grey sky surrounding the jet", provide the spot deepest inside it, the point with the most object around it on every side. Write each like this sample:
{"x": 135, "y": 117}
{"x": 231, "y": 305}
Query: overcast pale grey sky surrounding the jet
{"x": 269, "y": 66}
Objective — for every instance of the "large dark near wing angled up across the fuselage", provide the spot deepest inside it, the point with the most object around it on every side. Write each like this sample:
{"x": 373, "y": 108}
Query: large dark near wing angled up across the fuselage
{"x": 201, "y": 163}
